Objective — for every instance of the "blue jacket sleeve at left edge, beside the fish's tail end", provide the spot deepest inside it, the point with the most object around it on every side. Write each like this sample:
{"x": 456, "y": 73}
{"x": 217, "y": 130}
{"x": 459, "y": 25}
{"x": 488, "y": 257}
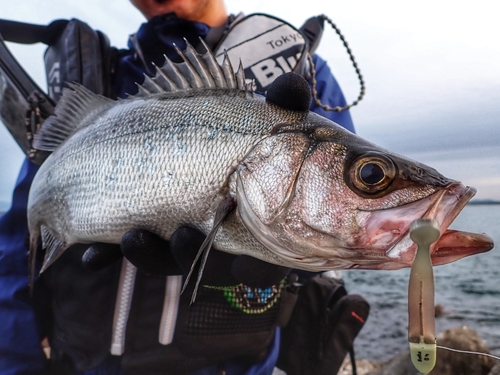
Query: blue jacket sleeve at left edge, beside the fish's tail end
{"x": 20, "y": 348}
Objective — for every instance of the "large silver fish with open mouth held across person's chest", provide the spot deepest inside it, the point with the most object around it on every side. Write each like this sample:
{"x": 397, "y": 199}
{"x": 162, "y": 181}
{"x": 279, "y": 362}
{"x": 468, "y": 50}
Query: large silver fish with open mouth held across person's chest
{"x": 310, "y": 195}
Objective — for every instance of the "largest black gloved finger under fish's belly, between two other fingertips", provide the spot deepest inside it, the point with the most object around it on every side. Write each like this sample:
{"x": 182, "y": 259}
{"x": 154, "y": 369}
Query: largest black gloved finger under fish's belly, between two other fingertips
{"x": 149, "y": 253}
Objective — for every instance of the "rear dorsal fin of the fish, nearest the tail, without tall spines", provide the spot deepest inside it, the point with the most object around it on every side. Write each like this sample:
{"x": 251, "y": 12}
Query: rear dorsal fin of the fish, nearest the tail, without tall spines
{"x": 76, "y": 103}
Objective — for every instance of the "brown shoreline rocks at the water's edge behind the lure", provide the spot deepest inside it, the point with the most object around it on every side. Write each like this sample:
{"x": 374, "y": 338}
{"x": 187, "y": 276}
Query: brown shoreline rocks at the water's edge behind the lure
{"x": 448, "y": 362}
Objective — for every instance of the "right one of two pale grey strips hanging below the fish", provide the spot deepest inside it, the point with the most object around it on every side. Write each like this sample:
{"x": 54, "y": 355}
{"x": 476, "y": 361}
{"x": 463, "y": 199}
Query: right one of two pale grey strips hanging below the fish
{"x": 170, "y": 309}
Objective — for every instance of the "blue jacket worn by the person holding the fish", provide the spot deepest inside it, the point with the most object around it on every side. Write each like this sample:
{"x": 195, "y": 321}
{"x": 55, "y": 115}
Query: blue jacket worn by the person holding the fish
{"x": 20, "y": 333}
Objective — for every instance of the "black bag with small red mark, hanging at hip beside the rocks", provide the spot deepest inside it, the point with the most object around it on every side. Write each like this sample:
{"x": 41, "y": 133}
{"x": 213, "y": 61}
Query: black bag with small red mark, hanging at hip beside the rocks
{"x": 322, "y": 328}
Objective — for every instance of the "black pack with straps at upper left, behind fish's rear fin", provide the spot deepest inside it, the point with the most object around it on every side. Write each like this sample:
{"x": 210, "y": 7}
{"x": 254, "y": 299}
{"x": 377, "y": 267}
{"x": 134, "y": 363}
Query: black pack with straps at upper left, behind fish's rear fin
{"x": 75, "y": 53}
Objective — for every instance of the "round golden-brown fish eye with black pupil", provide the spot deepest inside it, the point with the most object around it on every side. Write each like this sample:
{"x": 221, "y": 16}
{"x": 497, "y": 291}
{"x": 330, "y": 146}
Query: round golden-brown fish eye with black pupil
{"x": 372, "y": 173}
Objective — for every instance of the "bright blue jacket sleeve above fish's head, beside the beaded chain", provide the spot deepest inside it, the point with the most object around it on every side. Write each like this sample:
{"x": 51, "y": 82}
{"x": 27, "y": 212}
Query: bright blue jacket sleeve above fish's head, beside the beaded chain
{"x": 329, "y": 93}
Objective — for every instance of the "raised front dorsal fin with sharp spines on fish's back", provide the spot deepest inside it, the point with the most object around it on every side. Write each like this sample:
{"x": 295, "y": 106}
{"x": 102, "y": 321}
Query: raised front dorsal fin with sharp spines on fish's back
{"x": 196, "y": 71}
